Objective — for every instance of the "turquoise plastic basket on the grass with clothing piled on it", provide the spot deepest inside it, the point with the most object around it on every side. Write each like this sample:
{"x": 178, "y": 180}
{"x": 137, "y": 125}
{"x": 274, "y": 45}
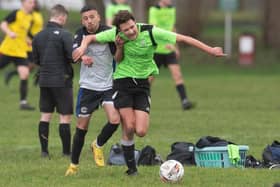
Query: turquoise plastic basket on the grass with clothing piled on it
{"x": 217, "y": 157}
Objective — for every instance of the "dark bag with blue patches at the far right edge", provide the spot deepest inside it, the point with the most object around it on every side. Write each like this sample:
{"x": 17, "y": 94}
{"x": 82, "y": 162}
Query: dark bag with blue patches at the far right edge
{"x": 271, "y": 154}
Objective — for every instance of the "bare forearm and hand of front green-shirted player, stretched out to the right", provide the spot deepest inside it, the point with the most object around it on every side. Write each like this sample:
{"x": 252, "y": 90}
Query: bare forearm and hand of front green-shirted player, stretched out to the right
{"x": 216, "y": 51}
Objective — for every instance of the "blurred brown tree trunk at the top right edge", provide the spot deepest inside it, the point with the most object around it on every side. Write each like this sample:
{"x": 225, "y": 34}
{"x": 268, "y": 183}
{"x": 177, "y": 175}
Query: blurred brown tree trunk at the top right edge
{"x": 271, "y": 23}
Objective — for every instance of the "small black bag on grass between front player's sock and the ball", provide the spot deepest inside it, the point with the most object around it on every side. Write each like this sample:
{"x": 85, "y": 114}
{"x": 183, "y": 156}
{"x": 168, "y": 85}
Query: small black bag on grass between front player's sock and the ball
{"x": 149, "y": 157}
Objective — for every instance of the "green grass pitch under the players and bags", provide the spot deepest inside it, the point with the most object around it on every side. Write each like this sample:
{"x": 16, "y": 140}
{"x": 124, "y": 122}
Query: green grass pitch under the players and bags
{"x": 235, "y": 103}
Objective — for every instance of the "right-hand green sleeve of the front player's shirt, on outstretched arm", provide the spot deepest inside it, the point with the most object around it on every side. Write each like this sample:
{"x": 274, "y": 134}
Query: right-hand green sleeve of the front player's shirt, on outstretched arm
{"x": 162, "y": 36}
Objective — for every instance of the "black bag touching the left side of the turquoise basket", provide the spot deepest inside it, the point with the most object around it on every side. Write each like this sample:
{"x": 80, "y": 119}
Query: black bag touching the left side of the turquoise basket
{"x": 182, "y": 152}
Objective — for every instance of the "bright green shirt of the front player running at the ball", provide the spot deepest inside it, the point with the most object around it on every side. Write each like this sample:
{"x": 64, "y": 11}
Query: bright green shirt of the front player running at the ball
{"x": 138, "y": 54}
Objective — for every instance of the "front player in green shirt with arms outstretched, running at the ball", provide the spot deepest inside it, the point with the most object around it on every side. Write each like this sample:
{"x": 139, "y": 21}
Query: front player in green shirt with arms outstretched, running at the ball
{"x": 135, "y": 47}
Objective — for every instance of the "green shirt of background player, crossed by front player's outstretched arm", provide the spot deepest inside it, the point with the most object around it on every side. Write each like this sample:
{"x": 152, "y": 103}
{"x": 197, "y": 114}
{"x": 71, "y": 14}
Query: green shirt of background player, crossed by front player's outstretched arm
{"x": 165, "y": 18}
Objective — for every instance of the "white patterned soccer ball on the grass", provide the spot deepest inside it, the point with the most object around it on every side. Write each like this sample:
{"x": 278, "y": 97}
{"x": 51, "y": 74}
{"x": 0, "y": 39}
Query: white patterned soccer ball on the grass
{"x": 171, "y": 171}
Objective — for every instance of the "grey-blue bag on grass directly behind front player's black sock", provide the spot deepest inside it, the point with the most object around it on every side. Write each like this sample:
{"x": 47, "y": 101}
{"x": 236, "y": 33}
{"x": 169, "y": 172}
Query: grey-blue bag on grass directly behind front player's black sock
{"x": 116, "y": 155}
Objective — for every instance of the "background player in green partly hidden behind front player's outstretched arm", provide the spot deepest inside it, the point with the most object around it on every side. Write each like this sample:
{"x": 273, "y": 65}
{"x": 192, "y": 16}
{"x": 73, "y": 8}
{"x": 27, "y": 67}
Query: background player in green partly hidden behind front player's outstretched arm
{"x": 163, "y": 15}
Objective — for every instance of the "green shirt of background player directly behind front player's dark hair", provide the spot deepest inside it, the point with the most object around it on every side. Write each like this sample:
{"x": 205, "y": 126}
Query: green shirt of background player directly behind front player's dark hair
{"x": 113, "y": 8}
